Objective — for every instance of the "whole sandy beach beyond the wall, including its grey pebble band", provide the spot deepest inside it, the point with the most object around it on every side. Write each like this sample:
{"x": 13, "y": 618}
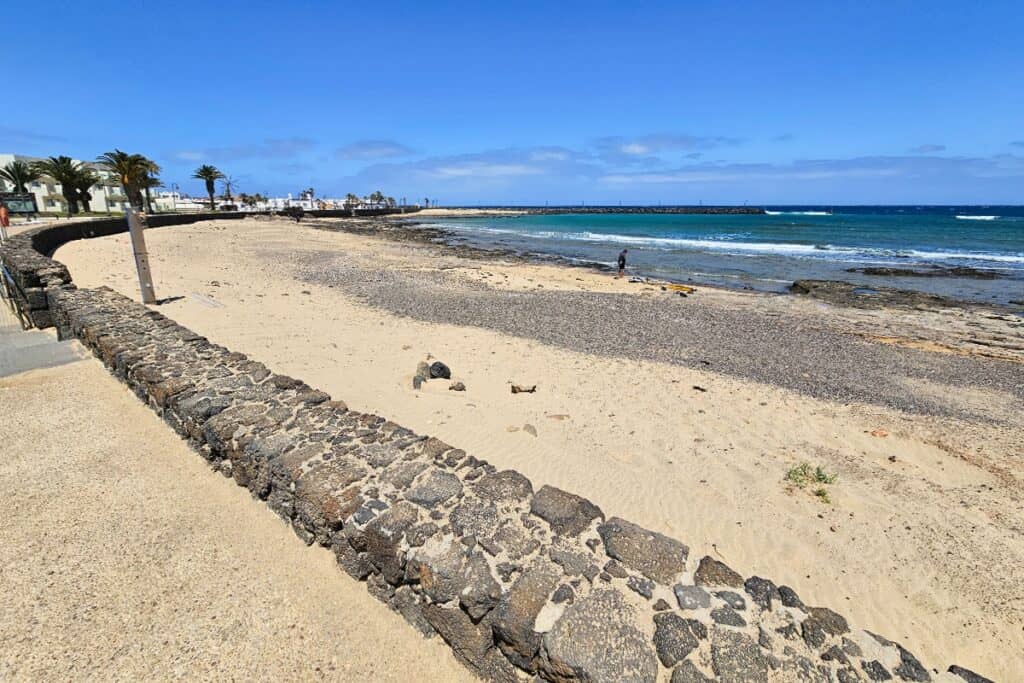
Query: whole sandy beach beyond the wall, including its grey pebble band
{"x": 682, "y": 414}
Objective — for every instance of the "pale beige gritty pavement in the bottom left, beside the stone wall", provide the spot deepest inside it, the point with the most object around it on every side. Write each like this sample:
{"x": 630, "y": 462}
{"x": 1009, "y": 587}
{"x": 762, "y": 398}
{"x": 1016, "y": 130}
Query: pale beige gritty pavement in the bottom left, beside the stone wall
{"x": 125, "y": 558}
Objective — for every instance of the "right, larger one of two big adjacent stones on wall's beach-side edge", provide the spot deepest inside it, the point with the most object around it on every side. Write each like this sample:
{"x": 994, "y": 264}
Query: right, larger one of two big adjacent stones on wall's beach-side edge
{"x": 652, "y": 554}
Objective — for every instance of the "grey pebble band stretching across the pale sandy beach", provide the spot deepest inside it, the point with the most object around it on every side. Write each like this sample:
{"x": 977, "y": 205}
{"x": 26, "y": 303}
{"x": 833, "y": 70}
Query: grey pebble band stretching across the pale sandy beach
{"x": 779, "y": 349}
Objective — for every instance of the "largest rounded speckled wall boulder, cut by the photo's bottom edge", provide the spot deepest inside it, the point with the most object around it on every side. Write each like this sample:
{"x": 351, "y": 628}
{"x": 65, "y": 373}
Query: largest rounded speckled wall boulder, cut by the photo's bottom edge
{"x": 598, "y": 641}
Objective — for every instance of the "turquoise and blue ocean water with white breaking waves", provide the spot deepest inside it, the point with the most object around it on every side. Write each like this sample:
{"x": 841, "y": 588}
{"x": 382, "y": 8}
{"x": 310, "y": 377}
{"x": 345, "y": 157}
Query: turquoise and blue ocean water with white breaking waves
{"x": 769, "y": 252}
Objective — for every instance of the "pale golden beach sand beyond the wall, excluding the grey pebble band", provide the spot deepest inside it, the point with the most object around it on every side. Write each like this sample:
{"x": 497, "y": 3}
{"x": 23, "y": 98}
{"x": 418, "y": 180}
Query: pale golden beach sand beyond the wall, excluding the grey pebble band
{"x": 926, "y": 550}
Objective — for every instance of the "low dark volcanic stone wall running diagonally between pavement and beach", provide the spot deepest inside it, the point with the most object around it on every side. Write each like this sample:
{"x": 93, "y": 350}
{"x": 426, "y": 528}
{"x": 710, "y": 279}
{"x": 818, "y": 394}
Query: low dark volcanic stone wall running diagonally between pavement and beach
{"x": 519, "y": 580}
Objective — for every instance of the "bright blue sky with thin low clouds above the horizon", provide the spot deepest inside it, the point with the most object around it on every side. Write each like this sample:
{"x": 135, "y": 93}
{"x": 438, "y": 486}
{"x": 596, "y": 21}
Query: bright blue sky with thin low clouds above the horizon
{"x": 532, "y": 103}
